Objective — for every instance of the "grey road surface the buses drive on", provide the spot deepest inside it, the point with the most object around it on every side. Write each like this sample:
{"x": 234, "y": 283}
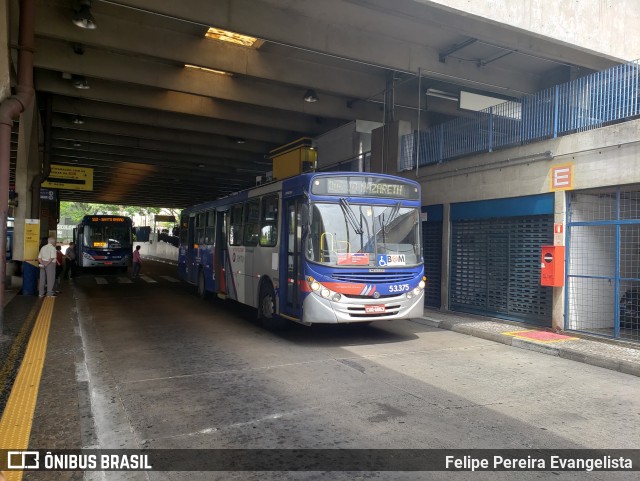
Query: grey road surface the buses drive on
{"x": 170, "y": 370}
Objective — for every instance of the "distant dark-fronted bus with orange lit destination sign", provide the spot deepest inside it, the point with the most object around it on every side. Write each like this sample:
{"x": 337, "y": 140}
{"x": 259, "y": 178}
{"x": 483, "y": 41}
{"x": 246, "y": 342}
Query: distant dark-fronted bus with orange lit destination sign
{"x": 104, "y": 241}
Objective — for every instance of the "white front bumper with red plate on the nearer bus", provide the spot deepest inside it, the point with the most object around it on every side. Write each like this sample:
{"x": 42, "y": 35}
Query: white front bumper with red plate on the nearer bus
{"x": 316, "y": 309}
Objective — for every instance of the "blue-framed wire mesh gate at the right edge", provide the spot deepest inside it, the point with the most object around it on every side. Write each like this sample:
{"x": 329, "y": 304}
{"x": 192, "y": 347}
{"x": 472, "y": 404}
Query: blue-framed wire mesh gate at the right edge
{"x": 603, "y": 281}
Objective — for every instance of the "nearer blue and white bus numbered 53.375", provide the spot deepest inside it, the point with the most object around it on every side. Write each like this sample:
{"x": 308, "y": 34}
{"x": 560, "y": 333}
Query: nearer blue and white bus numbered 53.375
{"x": 315, "y": 248}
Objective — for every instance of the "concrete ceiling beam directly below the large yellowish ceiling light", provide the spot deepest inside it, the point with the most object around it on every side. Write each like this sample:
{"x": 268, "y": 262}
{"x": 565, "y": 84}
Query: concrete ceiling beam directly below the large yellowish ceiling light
{"x": 118, "y": 33}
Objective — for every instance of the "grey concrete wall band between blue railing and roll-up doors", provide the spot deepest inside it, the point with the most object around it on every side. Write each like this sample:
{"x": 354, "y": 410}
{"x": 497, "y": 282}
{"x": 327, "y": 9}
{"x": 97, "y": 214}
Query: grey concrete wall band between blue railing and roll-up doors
{"x": 601, "y": 157}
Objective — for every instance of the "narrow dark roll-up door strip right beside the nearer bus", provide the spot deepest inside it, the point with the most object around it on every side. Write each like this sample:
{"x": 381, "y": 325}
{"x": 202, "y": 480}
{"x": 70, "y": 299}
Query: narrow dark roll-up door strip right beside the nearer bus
{"x": 432, "y": 247}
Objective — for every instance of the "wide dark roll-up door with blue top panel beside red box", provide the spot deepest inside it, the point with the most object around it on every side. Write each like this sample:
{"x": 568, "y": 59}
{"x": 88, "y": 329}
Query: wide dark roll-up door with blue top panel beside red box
{"x": 495, "y": 258}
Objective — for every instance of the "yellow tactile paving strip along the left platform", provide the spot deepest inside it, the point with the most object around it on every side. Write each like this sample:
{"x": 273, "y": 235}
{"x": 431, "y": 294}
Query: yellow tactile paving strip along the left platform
{"x": 15, "y": 427}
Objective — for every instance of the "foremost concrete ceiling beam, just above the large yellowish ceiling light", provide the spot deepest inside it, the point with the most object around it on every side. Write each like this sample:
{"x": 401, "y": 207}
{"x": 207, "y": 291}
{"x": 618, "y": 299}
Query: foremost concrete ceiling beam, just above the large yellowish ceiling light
{"x": 361, "y": 36}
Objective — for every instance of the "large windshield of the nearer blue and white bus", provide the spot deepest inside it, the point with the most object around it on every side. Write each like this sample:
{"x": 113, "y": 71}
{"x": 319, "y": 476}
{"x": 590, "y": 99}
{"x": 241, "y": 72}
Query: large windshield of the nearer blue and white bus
{"x": 365, "y": 235}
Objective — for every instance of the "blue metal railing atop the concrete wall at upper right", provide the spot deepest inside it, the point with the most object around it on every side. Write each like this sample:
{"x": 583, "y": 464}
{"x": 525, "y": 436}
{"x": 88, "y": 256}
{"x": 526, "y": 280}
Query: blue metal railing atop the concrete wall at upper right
{"x": 586, "y": 103}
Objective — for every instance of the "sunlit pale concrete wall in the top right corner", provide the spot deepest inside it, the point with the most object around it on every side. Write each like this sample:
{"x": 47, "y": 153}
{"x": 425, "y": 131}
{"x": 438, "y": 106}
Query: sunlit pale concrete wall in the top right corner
{"x": 604, "y": 26}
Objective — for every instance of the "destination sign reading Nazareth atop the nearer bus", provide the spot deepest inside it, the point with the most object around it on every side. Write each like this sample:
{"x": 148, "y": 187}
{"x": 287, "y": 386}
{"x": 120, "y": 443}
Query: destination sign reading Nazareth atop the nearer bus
{"x": 364, "y": 187}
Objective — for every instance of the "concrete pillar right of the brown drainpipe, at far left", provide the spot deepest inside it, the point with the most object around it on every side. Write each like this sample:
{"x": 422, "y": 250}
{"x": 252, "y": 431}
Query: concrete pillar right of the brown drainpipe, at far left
{"x": 27, "y": 167}
